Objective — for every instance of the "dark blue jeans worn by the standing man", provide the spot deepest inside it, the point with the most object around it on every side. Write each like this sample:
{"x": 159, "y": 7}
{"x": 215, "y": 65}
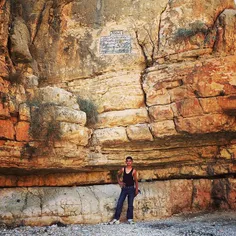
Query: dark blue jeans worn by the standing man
{"x": 130, "y": 192}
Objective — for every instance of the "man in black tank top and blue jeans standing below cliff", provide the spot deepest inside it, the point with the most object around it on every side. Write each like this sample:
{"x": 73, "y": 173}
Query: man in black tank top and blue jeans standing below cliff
{"x": 129, "y": 187}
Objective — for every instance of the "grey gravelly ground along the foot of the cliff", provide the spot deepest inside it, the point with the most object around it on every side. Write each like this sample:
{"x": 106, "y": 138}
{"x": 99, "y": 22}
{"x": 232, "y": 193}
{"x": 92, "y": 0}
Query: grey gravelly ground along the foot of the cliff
{"x": 205, "y": 224}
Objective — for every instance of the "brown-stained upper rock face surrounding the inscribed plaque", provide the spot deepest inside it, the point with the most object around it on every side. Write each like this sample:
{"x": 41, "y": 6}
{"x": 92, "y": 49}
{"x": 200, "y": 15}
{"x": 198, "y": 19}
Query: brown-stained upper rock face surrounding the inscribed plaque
{"x": 76, "y": 28}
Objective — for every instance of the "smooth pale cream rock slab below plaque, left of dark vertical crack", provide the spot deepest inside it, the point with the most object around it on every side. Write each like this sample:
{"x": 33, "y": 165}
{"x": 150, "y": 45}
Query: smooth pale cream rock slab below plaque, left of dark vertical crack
{"x": 111, "y": 91}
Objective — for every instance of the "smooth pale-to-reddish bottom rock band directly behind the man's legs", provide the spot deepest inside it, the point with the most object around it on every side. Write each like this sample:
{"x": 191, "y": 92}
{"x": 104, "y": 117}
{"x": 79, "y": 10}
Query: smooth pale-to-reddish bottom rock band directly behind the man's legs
{"x": 96, "y": 204}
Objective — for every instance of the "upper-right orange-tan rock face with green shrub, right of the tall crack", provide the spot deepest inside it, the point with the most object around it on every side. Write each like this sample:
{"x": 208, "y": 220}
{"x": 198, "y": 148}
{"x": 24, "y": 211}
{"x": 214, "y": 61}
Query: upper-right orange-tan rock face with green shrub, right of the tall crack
{"x": 180, "y": 31}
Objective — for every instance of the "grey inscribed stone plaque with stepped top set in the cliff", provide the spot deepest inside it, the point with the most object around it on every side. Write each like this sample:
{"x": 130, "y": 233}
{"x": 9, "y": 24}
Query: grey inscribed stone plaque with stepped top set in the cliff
{"x": 115, "y": 43}
